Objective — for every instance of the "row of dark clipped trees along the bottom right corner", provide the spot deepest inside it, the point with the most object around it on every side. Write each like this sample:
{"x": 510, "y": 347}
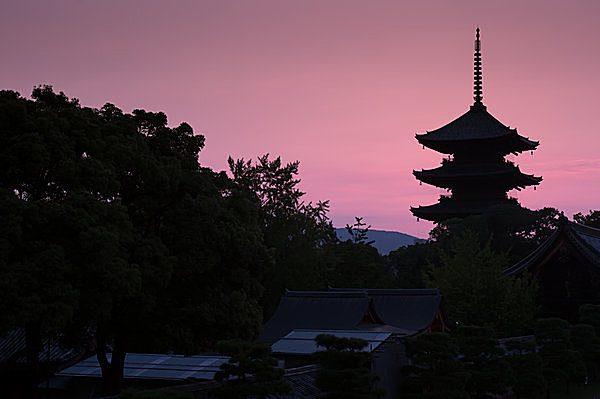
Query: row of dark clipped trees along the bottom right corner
{"x": 470, "y": 362}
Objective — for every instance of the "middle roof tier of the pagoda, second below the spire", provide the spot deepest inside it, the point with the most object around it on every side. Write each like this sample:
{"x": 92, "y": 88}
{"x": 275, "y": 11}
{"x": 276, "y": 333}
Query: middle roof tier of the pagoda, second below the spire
{"x": 450, "y": 175}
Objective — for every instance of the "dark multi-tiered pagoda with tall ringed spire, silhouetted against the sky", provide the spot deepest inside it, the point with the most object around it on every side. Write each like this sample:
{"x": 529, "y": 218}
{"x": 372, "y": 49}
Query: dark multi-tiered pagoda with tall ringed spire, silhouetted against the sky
{"x": 476, "y": 171}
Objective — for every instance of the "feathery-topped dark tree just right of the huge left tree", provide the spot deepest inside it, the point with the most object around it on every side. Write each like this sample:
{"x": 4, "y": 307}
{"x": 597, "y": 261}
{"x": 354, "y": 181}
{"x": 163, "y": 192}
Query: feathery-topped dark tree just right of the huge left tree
{"x": 295, "y": 232}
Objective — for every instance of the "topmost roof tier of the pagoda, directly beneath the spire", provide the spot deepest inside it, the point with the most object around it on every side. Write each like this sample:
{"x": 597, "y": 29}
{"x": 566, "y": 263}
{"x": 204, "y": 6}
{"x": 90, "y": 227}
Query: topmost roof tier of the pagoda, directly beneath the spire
{"x": 478, "y": 128}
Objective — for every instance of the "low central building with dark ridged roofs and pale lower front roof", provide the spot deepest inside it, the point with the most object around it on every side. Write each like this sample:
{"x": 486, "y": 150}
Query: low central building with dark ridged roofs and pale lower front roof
{"x": 382, "y": 317}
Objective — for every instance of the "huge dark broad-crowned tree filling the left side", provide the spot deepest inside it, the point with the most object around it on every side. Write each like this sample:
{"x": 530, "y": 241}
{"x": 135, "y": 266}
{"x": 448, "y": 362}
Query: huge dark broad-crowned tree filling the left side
{"x": 111, "y": 227}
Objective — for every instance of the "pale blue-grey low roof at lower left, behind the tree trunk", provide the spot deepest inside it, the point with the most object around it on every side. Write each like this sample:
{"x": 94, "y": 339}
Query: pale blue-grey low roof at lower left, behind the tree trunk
{"x": 150, "y": 366}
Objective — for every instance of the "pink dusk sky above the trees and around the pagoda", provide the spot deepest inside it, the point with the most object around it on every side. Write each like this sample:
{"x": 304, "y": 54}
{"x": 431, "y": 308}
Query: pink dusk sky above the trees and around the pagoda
{"x": 342, "y": 86}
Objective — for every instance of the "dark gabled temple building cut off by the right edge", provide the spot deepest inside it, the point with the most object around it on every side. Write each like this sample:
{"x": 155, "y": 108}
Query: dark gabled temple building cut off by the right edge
{"x": 567, "y": 268}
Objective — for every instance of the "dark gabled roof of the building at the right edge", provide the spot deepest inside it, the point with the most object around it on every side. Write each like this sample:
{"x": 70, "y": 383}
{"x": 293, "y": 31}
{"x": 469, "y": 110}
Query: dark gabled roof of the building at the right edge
{"x": 586, "y": 239}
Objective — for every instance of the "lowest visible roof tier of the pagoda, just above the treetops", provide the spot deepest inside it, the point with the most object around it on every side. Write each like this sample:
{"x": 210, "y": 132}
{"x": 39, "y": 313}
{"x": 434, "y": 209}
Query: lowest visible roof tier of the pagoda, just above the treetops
{"x": 449, "y": 208}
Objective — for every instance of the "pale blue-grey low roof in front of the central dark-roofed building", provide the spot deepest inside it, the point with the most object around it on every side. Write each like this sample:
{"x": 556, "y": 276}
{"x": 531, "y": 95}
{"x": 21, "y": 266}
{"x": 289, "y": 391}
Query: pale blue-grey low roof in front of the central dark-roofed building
{"x": 302, "y": 342}
